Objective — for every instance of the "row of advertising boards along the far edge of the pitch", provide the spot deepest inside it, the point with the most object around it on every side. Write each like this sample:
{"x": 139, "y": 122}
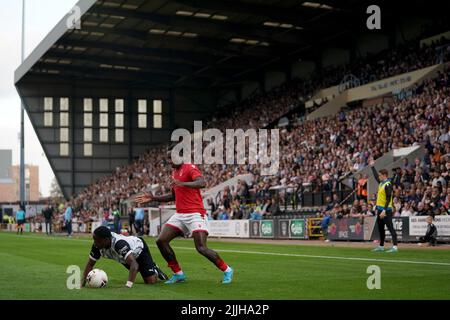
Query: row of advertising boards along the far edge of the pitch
{"x": 409, "y": 229}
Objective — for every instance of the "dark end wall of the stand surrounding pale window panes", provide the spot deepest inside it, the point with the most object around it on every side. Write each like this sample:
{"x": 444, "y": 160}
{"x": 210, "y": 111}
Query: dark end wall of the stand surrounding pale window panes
{"x": 179, "y": 109}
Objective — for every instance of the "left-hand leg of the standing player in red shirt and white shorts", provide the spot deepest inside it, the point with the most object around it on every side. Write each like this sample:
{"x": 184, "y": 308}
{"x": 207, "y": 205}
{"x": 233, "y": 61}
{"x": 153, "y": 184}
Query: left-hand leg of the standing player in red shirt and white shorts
{"x": 169, "y": 232}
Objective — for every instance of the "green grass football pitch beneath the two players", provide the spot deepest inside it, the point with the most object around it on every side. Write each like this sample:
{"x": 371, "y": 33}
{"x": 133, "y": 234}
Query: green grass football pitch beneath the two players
{"x": 34, "y": 267}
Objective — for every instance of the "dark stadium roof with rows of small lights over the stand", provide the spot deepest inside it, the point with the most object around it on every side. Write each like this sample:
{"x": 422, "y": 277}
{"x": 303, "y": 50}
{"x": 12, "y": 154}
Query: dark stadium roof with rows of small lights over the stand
{"x": 186, "y": 43}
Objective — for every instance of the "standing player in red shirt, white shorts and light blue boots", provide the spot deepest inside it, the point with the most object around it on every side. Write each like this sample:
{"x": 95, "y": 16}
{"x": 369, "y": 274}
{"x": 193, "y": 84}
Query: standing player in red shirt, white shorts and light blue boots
{"x": 189, "y": 219}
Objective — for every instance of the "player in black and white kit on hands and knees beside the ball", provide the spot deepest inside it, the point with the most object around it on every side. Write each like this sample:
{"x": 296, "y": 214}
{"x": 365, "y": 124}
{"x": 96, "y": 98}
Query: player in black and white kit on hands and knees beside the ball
{"x": 132, "y": 252}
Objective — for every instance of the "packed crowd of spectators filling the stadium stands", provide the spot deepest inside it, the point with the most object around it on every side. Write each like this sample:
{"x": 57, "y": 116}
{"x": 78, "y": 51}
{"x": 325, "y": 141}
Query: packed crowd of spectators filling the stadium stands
{"x": 316, "y": 154}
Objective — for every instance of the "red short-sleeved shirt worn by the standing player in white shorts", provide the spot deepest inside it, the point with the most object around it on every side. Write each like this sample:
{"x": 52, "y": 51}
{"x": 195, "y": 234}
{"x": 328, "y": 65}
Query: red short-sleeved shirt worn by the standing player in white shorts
{"x": 187, "y": 200}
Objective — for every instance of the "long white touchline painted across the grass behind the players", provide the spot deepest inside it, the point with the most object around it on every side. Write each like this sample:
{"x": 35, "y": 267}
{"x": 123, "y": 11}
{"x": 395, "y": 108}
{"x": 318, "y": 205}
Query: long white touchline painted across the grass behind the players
{"x": 281, "y": 254}
